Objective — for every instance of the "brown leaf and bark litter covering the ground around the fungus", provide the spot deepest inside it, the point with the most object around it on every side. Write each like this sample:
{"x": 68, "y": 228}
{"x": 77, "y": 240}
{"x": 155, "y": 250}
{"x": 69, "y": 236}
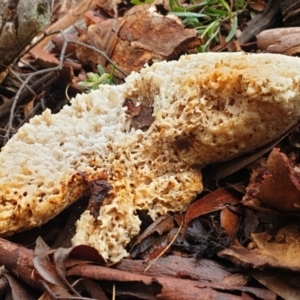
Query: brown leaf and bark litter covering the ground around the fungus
{"x": 233, "y": 245}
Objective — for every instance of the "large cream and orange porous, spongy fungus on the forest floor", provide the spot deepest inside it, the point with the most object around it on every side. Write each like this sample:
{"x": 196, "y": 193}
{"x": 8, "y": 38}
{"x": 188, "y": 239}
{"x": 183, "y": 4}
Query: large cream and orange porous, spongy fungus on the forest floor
{"x": 206, "y": 107}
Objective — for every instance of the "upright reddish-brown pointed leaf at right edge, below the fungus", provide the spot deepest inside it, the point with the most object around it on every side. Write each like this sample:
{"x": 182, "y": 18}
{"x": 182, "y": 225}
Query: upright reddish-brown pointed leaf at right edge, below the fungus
{"x": 281, "y": 187}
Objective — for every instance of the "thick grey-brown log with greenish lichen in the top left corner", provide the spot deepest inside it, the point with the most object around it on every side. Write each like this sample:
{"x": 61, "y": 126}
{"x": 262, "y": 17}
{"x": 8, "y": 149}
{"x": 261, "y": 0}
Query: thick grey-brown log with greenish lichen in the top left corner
{"x": 20, "y": 22}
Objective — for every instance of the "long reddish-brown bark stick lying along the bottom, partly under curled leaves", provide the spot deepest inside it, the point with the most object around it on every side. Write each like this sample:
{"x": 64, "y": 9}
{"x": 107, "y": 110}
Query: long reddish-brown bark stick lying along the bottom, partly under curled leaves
{"x": 19, "y": 261}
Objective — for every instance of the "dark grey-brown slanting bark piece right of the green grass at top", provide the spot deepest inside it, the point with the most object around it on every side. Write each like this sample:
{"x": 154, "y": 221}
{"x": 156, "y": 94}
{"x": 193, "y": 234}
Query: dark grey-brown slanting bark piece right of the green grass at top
{"x": 262, "y": 21}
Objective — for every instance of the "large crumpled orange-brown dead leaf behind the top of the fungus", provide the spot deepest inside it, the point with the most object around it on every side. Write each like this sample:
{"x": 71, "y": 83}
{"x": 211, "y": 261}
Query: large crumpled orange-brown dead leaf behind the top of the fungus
{"x": 141, "y": 37}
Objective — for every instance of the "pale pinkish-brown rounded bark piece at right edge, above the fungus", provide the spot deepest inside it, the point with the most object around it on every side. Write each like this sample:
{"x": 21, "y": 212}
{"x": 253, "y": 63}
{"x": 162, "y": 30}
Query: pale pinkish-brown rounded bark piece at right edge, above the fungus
{"x": 280, "y": 40}
